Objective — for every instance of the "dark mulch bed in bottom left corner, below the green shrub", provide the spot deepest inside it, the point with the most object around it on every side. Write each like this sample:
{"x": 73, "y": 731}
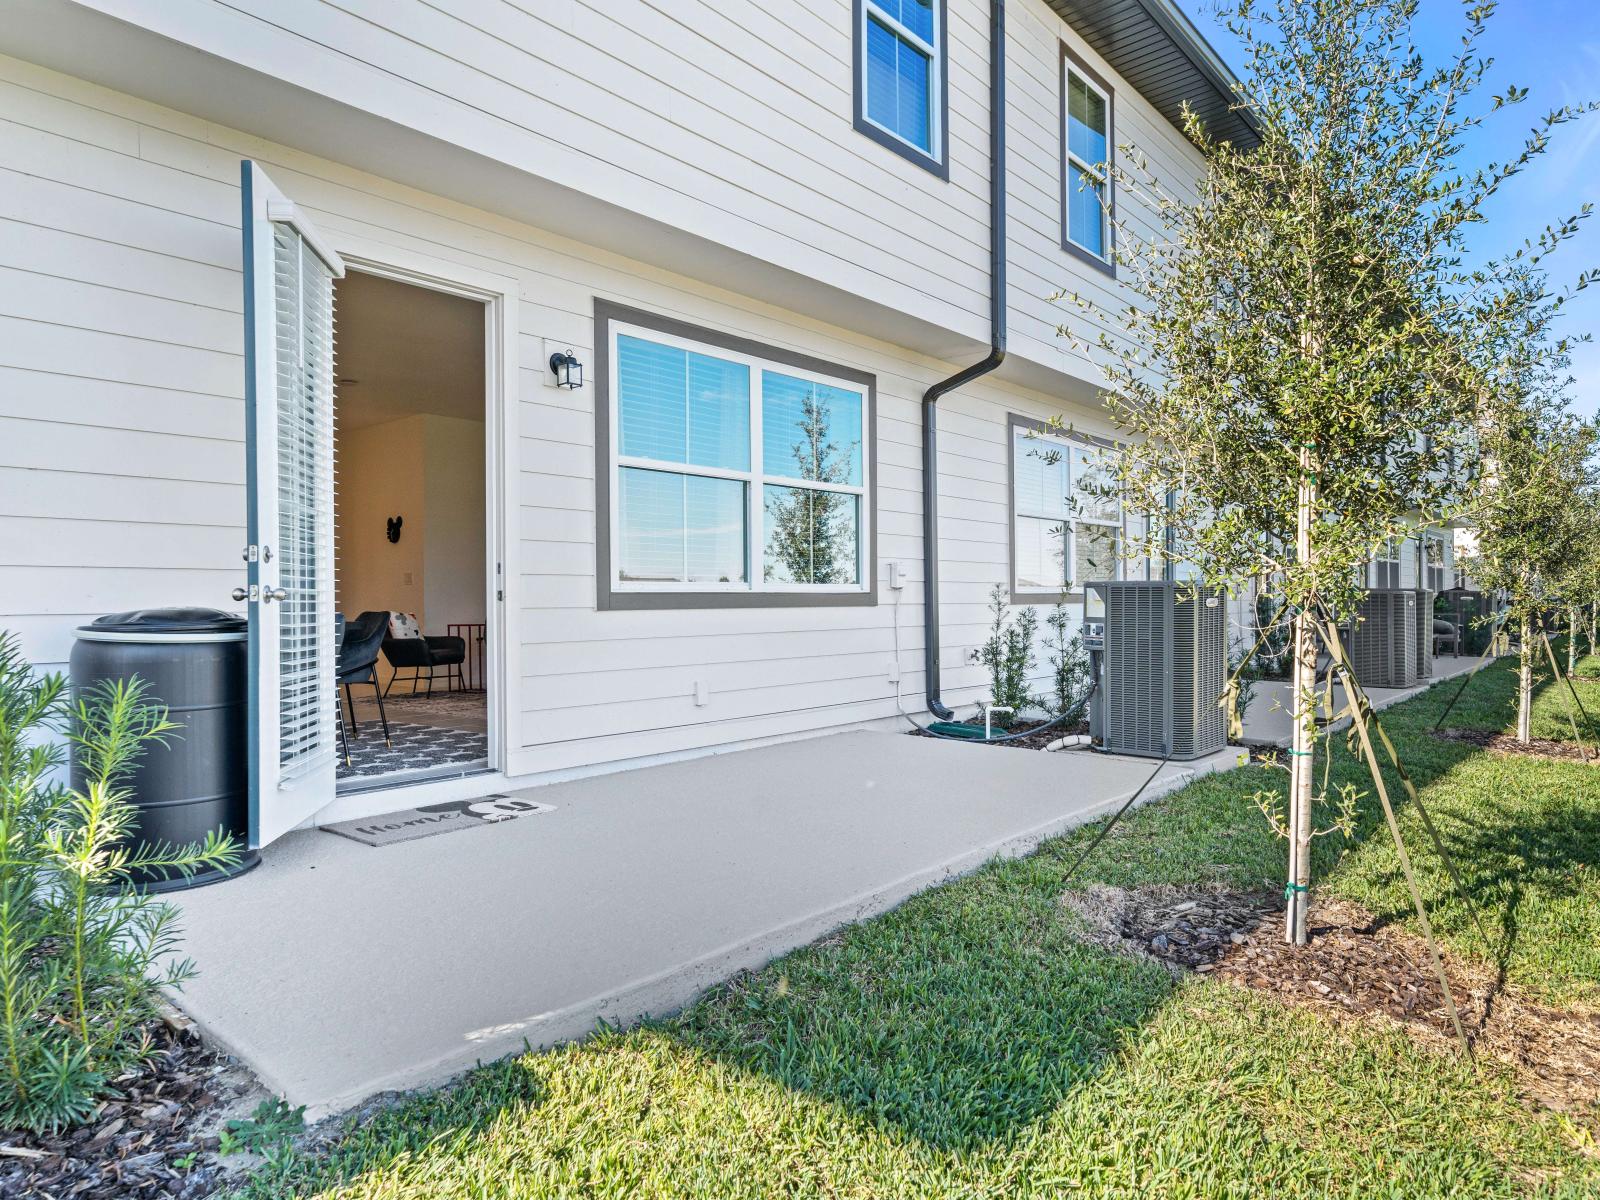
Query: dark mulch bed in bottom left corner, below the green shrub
{"x": 153, "y": 1118}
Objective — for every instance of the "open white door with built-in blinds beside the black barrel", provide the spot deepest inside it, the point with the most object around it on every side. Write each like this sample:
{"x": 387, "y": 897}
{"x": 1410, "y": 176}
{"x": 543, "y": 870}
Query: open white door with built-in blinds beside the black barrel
{"x": 289, "y": 422}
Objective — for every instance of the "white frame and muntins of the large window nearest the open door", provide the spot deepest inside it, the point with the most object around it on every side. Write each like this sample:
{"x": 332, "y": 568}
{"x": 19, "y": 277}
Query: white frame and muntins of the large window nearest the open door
{"x": 756, "y": 479}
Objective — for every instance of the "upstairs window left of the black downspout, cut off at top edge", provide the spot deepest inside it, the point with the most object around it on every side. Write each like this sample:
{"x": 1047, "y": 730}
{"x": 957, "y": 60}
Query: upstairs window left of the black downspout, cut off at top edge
{"x": 900, "y": 78}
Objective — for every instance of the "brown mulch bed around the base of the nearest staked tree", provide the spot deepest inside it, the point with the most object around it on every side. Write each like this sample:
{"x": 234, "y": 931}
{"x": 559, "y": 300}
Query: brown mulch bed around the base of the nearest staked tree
{"x": 1354, "y": 967}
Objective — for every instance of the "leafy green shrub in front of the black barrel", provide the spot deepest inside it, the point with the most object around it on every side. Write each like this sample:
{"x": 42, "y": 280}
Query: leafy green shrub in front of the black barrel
{"x": 82, "y": 953}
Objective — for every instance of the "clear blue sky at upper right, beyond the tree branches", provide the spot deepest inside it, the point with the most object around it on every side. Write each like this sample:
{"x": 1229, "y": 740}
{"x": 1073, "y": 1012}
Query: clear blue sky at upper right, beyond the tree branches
{"x": 1553, "y": 49}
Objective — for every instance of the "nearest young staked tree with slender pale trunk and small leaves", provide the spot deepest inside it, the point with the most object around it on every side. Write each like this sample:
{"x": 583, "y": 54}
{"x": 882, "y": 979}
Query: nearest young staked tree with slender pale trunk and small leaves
{"x": 1298, "y": 369}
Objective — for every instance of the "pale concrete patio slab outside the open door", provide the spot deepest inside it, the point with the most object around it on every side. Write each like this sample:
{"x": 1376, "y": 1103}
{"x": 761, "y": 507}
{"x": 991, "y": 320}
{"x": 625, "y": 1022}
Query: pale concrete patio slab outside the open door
{"x": 338, "y": 970}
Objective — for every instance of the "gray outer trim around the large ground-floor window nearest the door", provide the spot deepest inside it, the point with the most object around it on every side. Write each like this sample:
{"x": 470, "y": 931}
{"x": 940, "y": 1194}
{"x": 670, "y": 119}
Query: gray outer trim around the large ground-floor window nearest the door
{"x": 612, "y": 601}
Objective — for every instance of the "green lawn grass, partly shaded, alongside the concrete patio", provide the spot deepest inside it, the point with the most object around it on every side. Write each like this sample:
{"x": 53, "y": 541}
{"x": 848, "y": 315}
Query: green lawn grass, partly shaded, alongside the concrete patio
{"x": 969, "y": 1046}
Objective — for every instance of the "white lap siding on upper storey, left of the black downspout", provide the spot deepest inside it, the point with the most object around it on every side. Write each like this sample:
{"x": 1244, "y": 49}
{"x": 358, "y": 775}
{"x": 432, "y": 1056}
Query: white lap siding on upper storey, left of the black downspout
{"x": 730, "y": 122}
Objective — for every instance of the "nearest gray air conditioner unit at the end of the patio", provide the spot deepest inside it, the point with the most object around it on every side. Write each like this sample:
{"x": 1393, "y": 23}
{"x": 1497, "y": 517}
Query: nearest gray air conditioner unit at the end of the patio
{"x": 1162, "y": 670}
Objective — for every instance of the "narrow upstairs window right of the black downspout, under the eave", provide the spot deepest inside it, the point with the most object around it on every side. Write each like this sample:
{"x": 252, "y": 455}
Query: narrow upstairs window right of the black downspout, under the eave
{"x": 1086, "y": 162}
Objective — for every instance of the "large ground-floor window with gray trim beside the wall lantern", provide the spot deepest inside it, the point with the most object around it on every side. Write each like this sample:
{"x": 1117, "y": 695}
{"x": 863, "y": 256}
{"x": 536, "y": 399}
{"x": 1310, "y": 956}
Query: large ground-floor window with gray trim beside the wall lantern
{"x": 729, "y": 474}
